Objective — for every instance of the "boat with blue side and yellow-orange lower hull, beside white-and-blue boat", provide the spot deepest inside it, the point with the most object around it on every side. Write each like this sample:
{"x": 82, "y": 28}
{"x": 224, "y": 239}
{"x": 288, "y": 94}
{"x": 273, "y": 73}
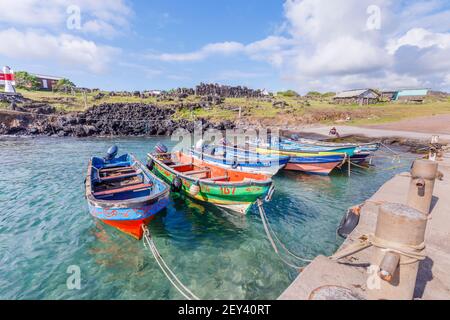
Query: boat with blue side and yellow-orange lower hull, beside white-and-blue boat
{"x": 321, "y": 163}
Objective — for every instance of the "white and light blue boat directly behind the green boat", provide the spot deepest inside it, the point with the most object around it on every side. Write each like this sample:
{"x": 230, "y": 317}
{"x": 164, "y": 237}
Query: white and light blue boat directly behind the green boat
{"x": 242, "y": 160}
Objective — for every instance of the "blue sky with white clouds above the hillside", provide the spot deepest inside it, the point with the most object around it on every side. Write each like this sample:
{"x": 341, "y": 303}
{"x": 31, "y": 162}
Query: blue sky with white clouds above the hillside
{"x": 293, "y": 44}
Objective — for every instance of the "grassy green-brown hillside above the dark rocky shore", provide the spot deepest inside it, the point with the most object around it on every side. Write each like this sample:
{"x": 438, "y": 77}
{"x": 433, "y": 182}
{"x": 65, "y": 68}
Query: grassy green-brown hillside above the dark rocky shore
{"x": 278, "y": 110}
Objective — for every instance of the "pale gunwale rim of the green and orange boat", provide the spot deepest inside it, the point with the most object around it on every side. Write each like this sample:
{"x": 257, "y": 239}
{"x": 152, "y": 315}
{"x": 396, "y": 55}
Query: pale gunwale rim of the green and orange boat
{"x": 267, "y": 182}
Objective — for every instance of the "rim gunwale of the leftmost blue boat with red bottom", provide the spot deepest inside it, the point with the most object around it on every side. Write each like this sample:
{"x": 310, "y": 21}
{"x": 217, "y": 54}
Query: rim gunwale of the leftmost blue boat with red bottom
{"x": 130, "y": 203}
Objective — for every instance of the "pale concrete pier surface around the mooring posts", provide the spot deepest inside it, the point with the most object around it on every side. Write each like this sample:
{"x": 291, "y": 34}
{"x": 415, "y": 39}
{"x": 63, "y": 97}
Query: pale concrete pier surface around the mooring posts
{"x": 355, "y": 273}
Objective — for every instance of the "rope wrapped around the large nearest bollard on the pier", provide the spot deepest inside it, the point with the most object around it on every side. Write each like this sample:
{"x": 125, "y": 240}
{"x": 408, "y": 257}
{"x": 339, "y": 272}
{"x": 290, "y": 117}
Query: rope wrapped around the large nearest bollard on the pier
{"x": 413, "y": 252}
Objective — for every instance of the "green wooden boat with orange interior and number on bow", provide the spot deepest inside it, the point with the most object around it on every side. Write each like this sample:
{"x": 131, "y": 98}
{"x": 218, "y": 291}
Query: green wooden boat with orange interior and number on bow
{"x": 204, "y": 181}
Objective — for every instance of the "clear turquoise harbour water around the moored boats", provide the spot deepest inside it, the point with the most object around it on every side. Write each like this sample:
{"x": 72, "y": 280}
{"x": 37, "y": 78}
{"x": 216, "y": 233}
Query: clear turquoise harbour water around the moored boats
{"x": 45, "y": 227}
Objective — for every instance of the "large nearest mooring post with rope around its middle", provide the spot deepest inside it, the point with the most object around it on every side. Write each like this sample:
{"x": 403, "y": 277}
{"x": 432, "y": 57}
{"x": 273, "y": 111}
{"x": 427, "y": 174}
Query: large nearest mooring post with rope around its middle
{"x": 398, "y": 249}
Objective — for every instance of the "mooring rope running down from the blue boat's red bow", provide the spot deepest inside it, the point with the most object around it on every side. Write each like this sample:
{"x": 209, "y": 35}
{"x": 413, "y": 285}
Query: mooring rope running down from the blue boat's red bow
{"x": 148, "y": 243}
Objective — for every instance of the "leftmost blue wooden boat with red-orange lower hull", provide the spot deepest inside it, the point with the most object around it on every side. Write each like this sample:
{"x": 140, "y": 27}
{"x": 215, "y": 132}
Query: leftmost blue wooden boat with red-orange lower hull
{"x": 123, "y": 193}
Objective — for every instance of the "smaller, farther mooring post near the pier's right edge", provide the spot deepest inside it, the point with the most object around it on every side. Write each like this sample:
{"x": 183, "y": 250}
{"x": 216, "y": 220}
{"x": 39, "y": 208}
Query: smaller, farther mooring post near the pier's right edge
{"x": 423, "y": 176}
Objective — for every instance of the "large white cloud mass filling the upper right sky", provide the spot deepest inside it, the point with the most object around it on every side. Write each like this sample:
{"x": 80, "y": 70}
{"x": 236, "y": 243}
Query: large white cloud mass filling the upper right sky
{"x": 329, "y": 45}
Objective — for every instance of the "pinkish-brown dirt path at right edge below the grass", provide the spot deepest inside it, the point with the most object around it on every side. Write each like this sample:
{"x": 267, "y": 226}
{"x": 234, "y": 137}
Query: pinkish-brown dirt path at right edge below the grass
{"x": 439, "y": 124}
